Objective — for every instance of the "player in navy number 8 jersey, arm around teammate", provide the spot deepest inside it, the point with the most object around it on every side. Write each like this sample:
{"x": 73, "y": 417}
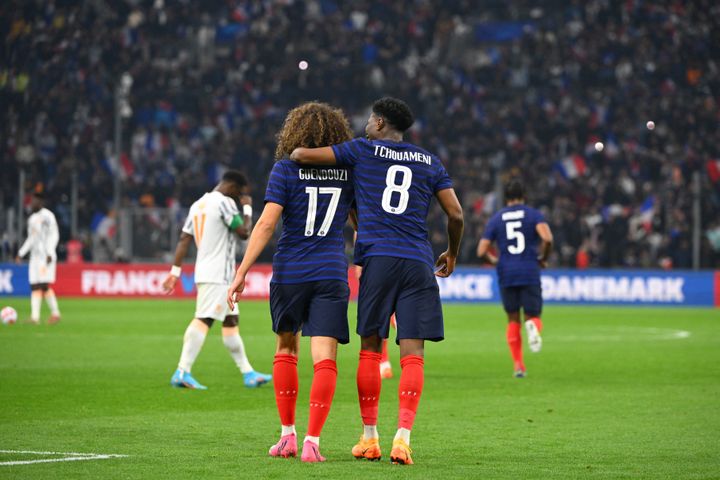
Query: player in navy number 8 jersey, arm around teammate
{"x": 395, "y": 183}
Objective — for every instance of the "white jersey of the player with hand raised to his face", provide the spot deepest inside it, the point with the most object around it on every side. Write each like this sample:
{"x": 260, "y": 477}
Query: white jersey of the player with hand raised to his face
{"x": 209, "y": 223}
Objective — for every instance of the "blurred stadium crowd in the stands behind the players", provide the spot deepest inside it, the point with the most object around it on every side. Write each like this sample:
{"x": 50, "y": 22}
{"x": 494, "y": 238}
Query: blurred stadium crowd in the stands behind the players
{"x": 607, "y": 109}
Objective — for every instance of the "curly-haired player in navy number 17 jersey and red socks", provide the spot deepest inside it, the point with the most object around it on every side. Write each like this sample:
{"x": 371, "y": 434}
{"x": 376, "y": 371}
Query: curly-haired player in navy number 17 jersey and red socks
{"x": 309, "y": 289}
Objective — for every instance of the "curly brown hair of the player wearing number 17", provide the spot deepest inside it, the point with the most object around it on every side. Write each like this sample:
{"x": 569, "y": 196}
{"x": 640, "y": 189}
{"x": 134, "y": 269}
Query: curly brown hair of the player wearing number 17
{"x": 310, "y": 125}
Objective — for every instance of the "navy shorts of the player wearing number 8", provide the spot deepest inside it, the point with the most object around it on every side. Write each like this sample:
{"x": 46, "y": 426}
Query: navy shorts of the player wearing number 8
{"x": 405, "y": 287}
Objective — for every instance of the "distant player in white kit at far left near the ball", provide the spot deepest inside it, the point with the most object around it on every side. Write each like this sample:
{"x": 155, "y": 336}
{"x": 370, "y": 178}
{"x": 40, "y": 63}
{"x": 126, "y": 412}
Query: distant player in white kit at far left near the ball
{"x": 42, "y": 240}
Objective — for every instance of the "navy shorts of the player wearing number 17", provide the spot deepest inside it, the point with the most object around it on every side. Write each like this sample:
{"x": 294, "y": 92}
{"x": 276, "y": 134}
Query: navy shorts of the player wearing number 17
{"x": 318, "y": 308}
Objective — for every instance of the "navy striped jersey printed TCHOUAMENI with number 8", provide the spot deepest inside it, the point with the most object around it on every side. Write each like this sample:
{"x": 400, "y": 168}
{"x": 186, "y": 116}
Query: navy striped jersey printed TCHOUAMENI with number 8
{"x": 394, "y": 186}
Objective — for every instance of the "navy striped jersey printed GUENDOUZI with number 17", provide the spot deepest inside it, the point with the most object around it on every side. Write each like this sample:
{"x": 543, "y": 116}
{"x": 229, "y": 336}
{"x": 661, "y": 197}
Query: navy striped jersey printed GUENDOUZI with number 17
{"x": 316, "y": 202}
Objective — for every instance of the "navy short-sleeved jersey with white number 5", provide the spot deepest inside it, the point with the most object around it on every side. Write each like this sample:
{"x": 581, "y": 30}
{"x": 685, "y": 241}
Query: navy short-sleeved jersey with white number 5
{"x": 514, "y": 230}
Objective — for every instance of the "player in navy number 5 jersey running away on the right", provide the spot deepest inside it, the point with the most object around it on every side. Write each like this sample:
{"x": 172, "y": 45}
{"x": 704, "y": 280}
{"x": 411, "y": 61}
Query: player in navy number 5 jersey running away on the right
{"x": 518, "y": 230}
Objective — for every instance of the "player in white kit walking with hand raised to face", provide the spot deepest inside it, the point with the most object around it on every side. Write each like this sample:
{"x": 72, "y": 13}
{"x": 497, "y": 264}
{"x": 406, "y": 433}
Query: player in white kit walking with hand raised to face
{"x": 213, "y": 222}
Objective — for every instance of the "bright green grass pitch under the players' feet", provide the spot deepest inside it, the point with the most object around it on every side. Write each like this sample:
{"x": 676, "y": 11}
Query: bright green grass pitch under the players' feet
{"x": 615, "y": 393}
